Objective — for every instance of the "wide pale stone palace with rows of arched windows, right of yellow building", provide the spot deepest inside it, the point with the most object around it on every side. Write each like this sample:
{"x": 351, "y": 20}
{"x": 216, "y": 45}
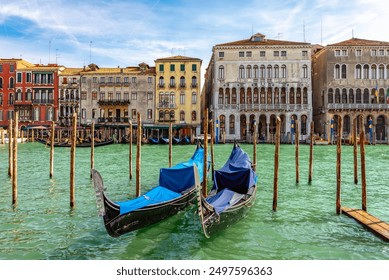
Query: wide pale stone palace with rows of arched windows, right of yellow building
{"x": 260, "y": 79}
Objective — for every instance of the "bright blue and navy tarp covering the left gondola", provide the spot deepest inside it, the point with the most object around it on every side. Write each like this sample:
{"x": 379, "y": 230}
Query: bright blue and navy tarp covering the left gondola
{"x": 172, "y": 181}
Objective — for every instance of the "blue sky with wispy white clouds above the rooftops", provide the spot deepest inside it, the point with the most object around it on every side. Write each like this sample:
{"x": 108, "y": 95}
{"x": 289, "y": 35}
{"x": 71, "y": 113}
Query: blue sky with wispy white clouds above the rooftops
{"x": 127, "y": 32}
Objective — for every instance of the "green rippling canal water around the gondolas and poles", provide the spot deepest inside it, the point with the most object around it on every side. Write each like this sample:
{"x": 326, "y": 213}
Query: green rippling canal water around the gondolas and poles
{"x": 305, "y": 225}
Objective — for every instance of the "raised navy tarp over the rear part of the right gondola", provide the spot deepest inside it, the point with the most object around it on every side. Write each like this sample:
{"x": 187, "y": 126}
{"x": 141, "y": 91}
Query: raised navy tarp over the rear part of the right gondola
{"x": 236, "y": 174}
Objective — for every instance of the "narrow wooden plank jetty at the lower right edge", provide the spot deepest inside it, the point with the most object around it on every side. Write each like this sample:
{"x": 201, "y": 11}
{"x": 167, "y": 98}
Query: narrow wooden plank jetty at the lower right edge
{"x": 378, "y": 227}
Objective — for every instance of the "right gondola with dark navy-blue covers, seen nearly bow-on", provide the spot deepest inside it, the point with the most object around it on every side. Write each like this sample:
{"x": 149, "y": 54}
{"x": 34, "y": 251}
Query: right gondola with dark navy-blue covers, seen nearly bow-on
{"x": 232, "y": 195}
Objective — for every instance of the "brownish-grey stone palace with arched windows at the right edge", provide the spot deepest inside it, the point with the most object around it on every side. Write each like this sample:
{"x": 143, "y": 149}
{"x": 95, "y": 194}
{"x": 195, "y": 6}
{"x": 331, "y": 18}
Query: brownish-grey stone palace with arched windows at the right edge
{"x": 351, "y": 81}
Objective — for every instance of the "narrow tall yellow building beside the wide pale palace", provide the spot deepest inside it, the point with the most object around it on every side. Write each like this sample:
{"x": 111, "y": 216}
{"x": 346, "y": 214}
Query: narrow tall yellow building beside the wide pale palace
{"x": 178, "y": 95}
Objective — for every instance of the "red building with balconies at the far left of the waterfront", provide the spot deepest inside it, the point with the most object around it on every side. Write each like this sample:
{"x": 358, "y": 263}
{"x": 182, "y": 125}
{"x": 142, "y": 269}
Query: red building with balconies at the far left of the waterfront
{"x": 30, "y": 89}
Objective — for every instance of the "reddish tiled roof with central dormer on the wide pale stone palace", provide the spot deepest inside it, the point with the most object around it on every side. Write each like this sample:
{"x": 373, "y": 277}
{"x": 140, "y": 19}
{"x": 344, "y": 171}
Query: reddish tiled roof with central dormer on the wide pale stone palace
{"x": 259, "y": 39}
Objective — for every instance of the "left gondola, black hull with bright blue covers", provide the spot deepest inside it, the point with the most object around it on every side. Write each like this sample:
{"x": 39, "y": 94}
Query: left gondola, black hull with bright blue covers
{"x": 176, "y": 190}
